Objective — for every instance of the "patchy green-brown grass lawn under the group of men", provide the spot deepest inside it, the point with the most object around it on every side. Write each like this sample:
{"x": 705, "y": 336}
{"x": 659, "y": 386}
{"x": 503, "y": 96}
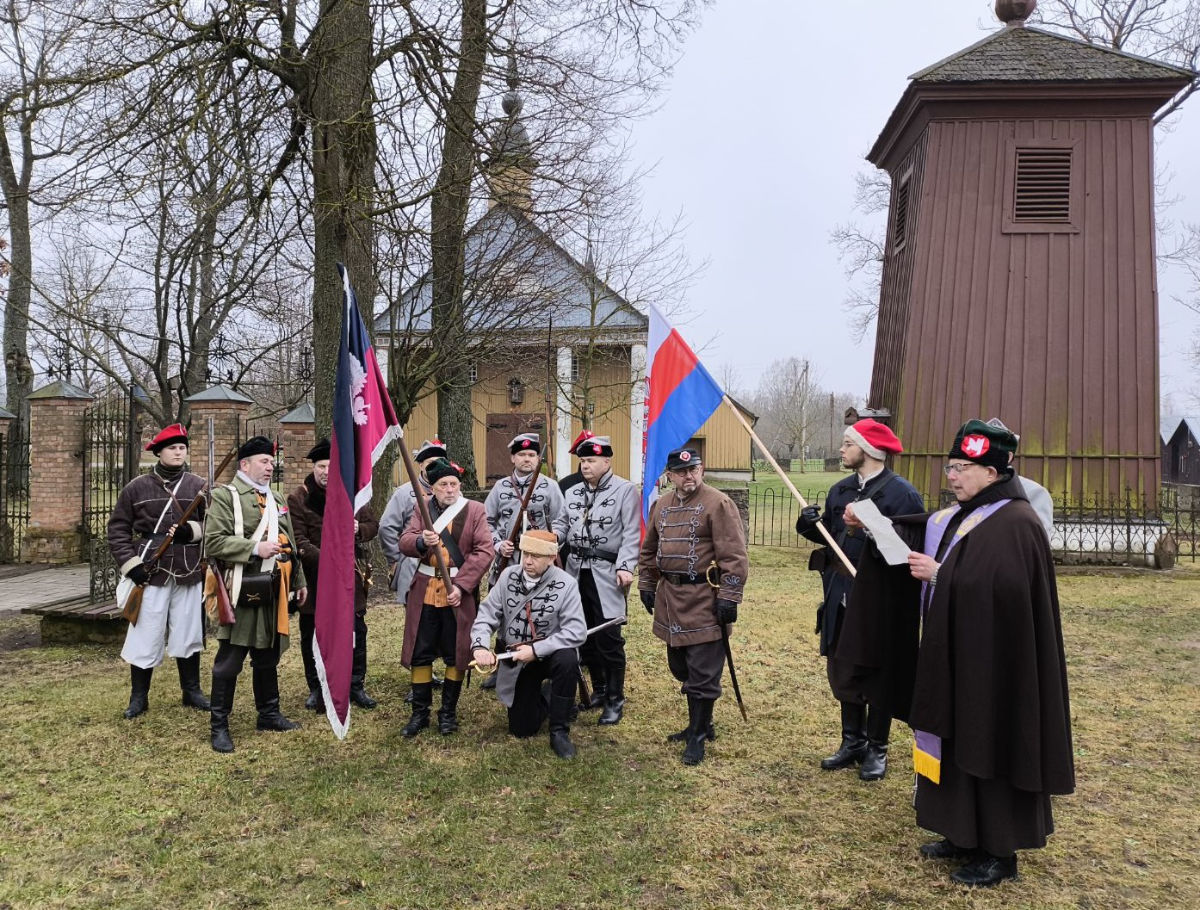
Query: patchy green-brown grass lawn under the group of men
{"x": 98, "y": 812}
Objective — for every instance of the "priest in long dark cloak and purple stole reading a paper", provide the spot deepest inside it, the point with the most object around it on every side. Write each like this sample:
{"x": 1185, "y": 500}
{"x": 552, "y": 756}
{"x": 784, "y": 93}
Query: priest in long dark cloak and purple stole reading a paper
{"x": 986, "y": 692}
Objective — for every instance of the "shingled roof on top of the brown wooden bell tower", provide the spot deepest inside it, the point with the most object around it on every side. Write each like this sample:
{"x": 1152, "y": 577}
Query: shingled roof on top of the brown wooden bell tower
{"x": 1025, "y": 55}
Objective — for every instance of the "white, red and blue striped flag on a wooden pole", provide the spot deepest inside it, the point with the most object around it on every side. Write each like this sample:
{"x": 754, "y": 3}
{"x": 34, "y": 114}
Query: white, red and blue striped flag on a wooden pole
{"x": 681, "y": 397}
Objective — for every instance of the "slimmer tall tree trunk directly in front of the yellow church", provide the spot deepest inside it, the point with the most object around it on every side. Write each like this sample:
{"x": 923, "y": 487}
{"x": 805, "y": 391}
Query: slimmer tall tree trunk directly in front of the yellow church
{"x": 449, "y": 207}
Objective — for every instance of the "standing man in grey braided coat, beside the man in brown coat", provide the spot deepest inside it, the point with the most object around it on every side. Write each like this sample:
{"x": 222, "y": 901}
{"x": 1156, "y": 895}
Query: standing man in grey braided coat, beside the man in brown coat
{"x": 602, "y": 528}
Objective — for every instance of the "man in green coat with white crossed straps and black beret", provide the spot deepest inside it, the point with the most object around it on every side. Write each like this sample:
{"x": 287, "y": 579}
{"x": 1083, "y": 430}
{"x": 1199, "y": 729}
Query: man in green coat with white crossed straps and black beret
{"x": 249, "y": 540}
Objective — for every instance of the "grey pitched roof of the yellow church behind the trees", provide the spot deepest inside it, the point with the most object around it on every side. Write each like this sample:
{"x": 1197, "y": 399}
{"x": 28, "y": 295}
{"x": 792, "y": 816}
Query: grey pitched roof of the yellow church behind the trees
{"x": 515, "y": 271}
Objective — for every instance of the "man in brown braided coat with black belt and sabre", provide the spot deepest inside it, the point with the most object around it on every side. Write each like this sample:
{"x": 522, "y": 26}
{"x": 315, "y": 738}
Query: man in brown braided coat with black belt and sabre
{"x": 692, "y": 572}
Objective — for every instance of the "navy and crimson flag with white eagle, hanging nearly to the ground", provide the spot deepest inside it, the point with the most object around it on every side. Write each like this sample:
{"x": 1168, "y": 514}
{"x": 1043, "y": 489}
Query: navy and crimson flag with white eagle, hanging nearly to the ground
{"x": 363, "y": 427}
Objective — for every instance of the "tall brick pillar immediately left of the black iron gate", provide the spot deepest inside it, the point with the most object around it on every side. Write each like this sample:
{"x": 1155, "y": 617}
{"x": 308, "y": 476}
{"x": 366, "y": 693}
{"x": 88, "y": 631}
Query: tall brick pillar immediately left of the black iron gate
{"x": 56, "y": 475}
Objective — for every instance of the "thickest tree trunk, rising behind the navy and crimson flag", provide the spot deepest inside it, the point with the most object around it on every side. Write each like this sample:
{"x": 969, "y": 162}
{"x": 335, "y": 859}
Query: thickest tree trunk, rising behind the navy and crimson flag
{"x": 344, "y": 161}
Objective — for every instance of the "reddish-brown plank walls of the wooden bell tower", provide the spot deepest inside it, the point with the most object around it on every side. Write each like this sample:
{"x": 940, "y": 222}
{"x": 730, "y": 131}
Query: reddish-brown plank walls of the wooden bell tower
{"x": 1054, "y": 333}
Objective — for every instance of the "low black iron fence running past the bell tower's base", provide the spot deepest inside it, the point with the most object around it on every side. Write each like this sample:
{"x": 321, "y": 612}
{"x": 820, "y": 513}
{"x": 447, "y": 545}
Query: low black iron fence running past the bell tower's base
{"x": 1097, "y": 530}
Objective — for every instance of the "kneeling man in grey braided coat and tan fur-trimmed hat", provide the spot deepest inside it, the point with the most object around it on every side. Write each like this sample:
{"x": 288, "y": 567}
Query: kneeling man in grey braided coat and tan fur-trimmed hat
{"x": 536, "y": 608}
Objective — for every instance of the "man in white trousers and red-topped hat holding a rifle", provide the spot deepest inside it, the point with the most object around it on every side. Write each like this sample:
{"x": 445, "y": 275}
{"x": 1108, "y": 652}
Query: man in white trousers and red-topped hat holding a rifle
{"x": 147, "y": 513}
